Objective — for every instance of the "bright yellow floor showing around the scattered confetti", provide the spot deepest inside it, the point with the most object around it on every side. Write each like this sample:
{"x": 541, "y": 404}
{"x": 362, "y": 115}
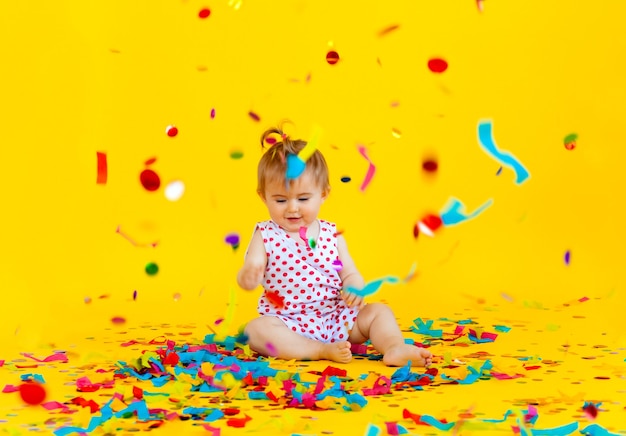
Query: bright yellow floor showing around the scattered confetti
{"x": 565, "y": 356}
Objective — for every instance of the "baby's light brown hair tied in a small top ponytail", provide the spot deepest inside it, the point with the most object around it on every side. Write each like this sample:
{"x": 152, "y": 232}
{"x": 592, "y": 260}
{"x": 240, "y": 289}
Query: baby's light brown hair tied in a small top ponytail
{"x": 273, "y": 164}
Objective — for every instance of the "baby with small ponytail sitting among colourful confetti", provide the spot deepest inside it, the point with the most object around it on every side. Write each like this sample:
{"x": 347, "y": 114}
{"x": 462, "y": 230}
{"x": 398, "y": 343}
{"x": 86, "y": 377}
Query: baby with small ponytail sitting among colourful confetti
{"x": 305, "y": 269}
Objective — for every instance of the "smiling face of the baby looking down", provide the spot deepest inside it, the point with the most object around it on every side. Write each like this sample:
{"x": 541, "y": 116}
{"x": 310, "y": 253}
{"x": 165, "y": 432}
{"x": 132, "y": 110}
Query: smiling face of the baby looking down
{"x": 295, "y": 206}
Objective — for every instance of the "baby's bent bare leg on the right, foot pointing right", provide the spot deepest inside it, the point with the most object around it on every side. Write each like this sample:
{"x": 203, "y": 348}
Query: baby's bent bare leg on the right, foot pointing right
{"x": 377, "y": 323}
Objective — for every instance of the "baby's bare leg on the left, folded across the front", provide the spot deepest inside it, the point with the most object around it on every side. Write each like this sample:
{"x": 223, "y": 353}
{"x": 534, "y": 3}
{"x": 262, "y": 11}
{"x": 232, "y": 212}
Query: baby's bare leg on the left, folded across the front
{"x": 269, "y": 336}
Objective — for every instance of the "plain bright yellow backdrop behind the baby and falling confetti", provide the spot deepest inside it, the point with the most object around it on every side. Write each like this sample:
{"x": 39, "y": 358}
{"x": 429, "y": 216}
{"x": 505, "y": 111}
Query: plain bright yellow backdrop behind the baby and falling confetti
{"x": 82, "y": 77}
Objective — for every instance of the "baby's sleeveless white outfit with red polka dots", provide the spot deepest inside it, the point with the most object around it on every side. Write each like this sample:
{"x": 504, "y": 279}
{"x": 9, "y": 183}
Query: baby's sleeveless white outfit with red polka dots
{"x": 301, "y": 286}
